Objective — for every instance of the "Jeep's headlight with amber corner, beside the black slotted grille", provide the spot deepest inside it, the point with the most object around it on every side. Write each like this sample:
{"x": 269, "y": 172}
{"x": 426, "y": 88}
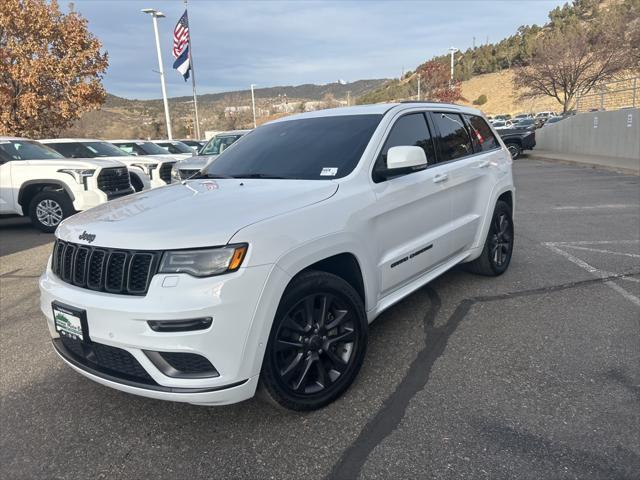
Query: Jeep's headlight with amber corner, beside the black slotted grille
{"x": 204, "y": 262}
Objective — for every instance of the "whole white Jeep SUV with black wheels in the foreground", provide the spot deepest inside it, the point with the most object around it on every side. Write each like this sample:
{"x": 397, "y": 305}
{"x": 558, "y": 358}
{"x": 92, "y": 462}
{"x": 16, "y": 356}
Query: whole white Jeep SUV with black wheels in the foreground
{"x": 268, "y": 267}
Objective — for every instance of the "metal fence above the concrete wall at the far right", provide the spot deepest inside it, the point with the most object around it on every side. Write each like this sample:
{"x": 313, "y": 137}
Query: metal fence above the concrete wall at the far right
{"x": 611, "y": 96}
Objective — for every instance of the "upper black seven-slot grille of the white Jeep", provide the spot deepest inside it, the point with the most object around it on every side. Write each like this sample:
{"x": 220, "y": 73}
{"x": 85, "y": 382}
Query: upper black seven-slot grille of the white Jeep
{"x": 126, "y": 272}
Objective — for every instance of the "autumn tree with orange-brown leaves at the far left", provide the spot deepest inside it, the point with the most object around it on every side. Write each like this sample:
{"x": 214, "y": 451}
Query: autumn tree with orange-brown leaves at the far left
{"x": 51, "y": 68}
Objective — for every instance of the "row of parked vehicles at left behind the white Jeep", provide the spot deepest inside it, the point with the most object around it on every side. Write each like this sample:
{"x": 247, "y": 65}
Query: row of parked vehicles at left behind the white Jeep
{"x": 50, "y": 179}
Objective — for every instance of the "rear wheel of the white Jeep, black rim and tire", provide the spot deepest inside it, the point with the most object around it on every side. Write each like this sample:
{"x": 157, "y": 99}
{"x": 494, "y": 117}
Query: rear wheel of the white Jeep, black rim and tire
{"x": 498, "y": 246}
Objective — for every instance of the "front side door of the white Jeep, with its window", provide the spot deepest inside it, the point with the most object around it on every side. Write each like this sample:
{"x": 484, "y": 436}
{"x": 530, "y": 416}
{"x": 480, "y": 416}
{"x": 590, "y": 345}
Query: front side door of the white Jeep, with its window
{"x": 412, "y": 212}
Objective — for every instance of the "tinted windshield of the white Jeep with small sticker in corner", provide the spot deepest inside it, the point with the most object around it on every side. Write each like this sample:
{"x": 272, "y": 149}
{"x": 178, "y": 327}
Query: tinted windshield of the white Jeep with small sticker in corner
{"x": 321, "y": 148}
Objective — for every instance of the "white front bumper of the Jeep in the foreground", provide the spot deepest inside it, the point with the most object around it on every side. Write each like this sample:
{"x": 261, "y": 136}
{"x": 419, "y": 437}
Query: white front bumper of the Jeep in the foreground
{"x": 121, "y": 321}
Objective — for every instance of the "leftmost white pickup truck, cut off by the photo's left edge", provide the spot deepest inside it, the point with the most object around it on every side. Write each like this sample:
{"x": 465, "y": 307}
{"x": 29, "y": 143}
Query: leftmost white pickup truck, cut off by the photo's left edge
{"x": 38, "y": 182}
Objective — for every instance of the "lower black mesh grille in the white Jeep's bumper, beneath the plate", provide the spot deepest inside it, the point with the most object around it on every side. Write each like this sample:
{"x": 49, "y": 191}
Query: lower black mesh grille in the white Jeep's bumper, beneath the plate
{"x": 111, "y": 360}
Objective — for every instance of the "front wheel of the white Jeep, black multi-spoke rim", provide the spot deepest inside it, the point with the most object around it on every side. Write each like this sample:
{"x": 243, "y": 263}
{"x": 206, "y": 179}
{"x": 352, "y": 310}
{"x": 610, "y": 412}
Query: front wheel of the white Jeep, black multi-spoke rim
{"x": 317, "y": 343}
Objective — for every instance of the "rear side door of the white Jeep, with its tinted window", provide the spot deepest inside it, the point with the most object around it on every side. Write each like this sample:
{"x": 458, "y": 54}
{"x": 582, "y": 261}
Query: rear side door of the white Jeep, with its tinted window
{"x": 473, "y": 155}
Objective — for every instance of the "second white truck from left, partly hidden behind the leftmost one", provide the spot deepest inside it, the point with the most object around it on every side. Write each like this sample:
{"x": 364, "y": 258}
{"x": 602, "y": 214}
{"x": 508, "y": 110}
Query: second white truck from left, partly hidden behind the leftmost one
{"x": 140, "y": 168}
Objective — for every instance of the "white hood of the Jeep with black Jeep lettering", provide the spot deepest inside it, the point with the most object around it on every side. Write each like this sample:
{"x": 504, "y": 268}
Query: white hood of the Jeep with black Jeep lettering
{"x": 192, "y": 214}
